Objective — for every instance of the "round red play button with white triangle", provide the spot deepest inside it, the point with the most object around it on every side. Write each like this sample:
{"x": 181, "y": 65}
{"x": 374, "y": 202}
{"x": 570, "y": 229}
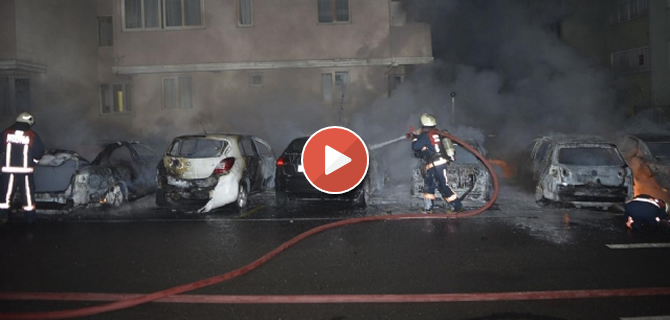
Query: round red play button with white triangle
{"x": 335, "y": 160}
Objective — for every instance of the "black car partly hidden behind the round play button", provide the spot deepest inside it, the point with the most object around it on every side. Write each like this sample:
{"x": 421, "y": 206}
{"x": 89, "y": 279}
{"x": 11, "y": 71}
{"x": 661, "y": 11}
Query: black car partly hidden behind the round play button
{"x": 292, "y": 184}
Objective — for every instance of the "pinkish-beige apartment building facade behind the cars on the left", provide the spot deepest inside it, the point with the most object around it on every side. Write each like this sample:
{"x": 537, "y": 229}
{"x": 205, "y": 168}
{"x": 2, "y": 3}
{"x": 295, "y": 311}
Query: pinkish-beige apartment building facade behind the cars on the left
{"x": 147, "y": 68}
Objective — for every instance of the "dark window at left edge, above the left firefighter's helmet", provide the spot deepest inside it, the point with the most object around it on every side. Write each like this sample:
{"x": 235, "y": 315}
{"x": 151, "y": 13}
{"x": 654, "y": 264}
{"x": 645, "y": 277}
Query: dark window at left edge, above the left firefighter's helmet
{"x": 14, "y": 95}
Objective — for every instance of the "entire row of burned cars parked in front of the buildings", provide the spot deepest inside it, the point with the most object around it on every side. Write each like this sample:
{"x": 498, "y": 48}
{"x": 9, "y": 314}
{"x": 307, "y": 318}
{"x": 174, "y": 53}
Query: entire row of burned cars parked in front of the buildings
{"x": 208, "y": 171}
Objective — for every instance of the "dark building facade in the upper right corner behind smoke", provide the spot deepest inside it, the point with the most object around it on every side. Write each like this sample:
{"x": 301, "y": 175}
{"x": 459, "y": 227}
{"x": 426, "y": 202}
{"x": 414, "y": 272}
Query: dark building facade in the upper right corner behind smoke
{"x": 632, "y": 37}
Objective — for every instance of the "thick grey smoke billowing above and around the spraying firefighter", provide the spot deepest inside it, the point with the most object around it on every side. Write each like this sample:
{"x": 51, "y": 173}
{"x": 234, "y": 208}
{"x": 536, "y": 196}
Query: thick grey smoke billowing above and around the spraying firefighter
{"x": 513, "y": 77}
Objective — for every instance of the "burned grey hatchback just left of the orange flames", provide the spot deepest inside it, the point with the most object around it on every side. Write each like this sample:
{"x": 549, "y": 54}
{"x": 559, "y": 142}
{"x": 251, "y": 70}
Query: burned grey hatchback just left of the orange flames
{"x": 584, "y": 171}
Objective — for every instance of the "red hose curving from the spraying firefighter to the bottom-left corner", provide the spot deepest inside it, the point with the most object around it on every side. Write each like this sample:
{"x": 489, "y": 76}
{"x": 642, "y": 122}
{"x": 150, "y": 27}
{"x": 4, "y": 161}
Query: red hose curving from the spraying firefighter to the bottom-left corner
{"x": 137, "y": 300}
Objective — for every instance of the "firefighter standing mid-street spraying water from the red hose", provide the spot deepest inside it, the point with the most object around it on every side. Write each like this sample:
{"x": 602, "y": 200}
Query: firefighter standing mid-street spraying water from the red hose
{"x": 428, "y": 143}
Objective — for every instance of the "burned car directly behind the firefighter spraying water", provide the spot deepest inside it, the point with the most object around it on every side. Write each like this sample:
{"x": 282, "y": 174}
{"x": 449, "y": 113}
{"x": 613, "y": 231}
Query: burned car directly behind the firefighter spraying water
{"x": 467, "y": 175}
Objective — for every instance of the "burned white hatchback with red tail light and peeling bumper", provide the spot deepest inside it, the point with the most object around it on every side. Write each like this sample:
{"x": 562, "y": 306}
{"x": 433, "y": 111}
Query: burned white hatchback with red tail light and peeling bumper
{"x": 213, "y": 170}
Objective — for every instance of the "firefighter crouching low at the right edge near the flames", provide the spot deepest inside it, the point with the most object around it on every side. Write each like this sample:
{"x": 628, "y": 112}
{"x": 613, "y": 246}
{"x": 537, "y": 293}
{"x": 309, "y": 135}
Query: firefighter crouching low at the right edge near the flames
{"x": 645, "y": 212}
